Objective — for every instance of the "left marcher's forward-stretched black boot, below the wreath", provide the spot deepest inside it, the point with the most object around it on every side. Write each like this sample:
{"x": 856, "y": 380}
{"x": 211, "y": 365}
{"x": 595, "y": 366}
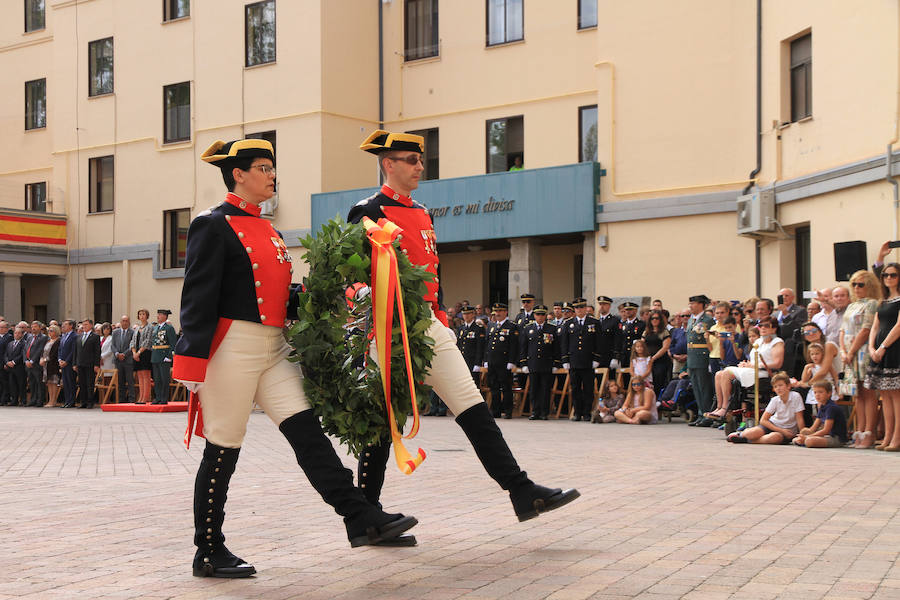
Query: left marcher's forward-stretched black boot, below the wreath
{"x": 366, "y": 524}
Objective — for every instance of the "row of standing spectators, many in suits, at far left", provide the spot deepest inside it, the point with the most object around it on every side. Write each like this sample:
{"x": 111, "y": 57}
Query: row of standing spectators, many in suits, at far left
{"x": 60, "y": 364}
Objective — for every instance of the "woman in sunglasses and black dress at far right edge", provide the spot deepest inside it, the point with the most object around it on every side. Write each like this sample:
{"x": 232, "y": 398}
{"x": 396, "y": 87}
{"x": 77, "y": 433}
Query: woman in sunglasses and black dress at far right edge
{"x": 883, "y": 373}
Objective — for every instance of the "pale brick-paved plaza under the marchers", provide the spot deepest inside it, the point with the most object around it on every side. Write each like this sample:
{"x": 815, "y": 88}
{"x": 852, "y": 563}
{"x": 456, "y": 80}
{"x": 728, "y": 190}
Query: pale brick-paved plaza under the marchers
{"x": 98, "y": 505}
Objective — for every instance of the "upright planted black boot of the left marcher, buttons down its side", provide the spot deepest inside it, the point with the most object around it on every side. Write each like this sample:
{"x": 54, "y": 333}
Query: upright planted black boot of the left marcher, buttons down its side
{"x": 210, "y": 492}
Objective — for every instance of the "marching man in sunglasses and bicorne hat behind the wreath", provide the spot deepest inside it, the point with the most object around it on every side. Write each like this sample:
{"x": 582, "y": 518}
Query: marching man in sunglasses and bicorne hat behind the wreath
{"x": 400, "y": 160}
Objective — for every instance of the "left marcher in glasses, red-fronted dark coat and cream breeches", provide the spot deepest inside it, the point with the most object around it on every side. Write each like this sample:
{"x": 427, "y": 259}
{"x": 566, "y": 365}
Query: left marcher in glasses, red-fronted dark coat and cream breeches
{"x": 232, "y": 354}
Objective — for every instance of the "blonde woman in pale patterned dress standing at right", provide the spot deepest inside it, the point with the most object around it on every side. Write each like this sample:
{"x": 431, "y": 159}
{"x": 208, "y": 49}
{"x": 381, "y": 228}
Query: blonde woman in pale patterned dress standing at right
{"x": 854, "y": 345}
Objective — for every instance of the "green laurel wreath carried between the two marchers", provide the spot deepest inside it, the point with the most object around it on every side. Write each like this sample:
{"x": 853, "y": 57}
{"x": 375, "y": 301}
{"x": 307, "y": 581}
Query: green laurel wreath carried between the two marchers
{"x": 342, "y": 384}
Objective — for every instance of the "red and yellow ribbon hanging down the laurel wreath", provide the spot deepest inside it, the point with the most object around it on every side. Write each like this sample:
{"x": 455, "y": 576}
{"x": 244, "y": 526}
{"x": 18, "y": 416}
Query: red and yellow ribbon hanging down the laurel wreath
{"x": 385, "y": 290}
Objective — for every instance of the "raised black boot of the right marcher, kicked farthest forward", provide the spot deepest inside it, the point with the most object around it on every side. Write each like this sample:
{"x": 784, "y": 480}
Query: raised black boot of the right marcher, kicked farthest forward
{"x": 528, "y": 498}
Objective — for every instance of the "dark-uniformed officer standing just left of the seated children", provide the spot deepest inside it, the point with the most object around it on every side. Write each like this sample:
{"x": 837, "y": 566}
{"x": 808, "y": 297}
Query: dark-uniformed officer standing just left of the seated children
{"x": 579, "y": 356}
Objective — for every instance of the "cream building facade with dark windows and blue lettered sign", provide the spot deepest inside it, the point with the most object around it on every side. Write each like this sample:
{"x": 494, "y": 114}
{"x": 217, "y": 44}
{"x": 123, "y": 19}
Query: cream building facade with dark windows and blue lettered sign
{"x": 637, "y": 129}
